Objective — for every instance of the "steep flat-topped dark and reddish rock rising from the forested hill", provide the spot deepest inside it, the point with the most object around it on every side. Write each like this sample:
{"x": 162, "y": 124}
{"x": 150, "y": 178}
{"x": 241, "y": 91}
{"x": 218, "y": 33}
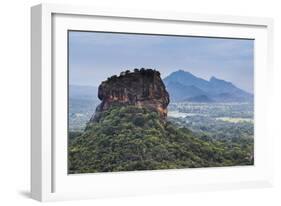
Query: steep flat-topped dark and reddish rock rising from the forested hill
{"x": 143, "y": 88}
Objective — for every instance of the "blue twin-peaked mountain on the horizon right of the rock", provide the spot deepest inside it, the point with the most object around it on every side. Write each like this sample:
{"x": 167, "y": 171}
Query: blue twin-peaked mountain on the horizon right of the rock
{"x": 184, "y": 86}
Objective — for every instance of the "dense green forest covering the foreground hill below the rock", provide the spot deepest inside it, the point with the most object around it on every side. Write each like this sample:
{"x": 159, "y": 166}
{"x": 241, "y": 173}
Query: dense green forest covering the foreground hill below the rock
{"x": 130, "y": 138}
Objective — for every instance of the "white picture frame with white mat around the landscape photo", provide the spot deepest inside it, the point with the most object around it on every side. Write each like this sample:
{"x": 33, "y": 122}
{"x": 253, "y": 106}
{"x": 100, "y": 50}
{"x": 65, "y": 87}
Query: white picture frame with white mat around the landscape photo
{"x": 49, "y": 179}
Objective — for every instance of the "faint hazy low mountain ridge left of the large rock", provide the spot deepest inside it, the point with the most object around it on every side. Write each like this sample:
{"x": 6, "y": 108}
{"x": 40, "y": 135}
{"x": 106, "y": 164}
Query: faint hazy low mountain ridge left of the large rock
{"x": 83, "y": 92}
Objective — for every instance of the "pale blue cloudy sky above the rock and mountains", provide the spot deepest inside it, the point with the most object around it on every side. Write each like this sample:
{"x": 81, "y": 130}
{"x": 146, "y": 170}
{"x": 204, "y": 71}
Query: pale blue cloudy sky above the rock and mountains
{"x": 94, "y": 56}
